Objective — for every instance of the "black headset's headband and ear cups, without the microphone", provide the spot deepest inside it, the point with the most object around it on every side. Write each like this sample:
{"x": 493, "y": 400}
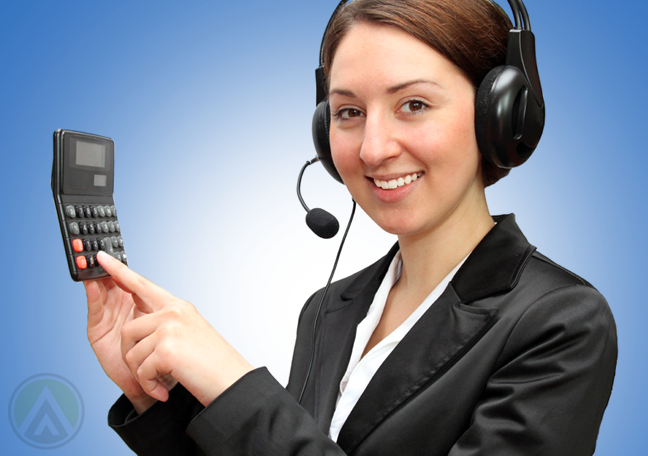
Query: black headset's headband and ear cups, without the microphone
{"x": 509, "y": 107}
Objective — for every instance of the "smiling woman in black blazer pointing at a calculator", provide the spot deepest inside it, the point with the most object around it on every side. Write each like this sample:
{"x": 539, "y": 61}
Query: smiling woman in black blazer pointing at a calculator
{"x": 461, "y": 340}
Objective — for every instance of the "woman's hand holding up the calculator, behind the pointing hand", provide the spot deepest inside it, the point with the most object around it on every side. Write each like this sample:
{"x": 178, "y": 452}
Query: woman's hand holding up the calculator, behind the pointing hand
{"x": 109, "y": 307}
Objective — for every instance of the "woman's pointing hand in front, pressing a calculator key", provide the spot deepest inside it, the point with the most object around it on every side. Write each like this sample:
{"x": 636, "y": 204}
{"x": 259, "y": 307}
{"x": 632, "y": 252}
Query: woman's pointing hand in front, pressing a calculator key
{"x": 170, "y": 338}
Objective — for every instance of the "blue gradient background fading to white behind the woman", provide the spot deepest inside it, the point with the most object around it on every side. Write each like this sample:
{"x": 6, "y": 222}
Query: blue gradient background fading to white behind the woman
{"x": 210, "y": 109}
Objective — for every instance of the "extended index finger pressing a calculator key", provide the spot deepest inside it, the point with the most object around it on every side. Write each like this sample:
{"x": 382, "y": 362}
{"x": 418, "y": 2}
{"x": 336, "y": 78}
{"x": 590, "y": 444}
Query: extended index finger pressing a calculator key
{"x": 151, "y": 297}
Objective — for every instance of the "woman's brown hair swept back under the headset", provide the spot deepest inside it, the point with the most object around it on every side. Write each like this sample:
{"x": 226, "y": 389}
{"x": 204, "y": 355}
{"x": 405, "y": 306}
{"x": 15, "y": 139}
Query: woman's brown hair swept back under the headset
{"x": 472, "y": 34}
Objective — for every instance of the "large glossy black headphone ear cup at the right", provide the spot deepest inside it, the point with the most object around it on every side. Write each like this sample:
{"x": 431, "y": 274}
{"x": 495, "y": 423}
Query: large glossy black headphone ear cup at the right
{"x": 508, "y": 119}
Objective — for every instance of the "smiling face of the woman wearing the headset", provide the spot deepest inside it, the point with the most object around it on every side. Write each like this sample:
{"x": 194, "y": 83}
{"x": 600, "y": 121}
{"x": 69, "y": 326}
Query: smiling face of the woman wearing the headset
{"x": 402, "y": 131}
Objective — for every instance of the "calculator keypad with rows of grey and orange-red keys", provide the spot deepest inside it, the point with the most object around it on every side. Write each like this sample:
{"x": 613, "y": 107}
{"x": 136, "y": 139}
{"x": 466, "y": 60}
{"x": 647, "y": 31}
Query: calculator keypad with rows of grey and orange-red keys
{"x": 93, "y": 227}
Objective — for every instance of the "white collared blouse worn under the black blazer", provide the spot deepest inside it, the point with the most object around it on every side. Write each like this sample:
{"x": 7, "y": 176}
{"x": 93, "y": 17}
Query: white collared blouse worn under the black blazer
{"x": 361, "y": 370}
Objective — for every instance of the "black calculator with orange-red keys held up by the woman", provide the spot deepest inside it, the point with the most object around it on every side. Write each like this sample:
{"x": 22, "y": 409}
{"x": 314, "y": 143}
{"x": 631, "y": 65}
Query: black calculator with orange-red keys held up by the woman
{"x": 82, "y": 184}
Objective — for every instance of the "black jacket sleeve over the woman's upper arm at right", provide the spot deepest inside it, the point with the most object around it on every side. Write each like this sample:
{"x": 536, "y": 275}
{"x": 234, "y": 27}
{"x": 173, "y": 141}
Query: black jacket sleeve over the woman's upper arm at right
{"x": 552, "y": 381}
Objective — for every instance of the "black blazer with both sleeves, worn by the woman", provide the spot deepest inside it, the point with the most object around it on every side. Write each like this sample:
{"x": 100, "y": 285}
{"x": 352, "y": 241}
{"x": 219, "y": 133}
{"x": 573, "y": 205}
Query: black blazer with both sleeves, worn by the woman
{"x": 517, "y": 357}
